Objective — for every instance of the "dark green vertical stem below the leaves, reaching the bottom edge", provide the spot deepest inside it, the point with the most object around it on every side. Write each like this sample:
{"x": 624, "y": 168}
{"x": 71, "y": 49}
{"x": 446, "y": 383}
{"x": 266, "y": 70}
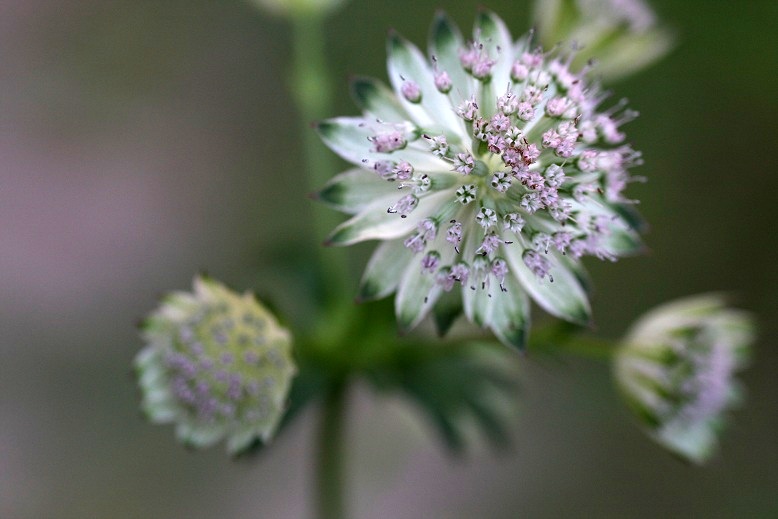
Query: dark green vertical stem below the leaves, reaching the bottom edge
{"x": 329, "y": 470}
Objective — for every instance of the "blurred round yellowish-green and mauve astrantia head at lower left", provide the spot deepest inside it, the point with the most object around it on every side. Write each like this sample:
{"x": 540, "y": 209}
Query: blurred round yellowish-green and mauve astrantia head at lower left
{"x": 217, "y": 364}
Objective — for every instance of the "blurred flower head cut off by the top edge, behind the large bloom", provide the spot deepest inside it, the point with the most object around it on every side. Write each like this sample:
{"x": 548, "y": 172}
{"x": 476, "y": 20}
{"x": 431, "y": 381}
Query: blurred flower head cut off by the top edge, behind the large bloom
{"x": 623, "y": 36}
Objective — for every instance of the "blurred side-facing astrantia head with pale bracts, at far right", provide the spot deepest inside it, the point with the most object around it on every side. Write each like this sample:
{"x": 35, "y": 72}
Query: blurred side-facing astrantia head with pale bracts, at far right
{"x": 676, "y": 371}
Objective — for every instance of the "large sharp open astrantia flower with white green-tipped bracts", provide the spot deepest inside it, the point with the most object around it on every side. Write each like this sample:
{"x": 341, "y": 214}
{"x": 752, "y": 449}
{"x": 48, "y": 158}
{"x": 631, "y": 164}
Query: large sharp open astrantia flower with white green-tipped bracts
{"x": 488, "y": 171}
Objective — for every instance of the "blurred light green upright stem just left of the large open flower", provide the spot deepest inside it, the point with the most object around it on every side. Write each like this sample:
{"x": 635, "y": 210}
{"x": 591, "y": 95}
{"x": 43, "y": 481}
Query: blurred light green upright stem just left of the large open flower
{"x": 312, "y": 90}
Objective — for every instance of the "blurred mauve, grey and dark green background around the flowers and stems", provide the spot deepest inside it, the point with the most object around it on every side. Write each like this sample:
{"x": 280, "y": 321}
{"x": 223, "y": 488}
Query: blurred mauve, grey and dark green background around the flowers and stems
{"x": 144, "y": 141}
